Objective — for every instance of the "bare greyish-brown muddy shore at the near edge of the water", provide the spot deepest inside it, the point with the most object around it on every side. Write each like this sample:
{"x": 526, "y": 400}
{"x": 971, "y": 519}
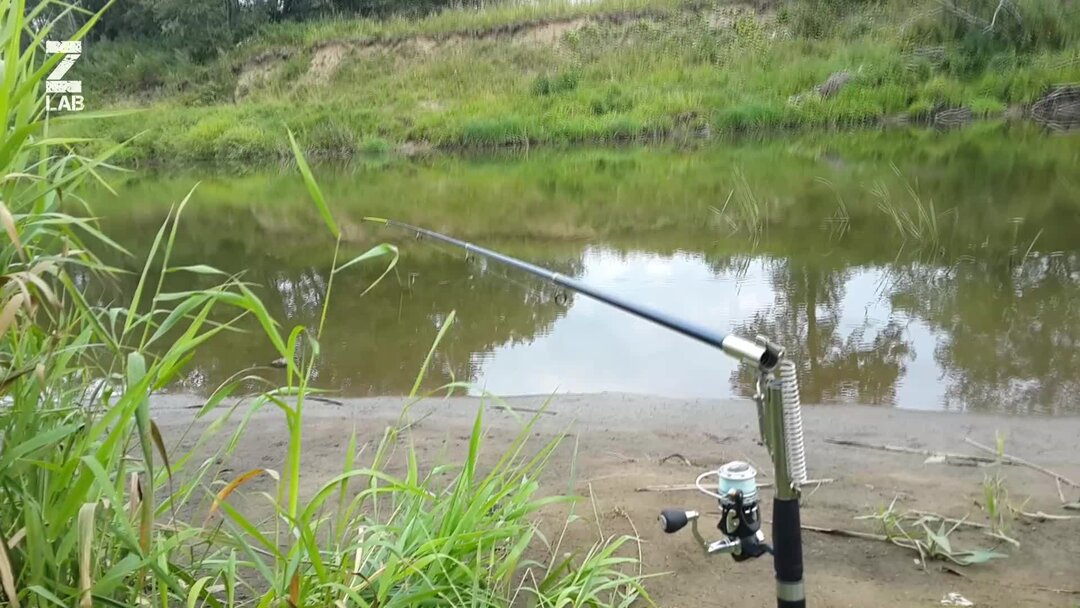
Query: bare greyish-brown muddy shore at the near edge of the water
{"x": 622, "y": 441}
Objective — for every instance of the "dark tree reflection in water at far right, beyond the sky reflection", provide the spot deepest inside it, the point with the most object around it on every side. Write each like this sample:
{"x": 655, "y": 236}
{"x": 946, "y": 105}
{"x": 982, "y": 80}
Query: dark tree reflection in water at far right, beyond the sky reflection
{"x": 1007, "y": 339}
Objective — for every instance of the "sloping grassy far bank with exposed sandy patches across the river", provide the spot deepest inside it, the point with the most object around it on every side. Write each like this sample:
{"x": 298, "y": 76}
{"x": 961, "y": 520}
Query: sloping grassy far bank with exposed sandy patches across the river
{"x": 553, "y": 73}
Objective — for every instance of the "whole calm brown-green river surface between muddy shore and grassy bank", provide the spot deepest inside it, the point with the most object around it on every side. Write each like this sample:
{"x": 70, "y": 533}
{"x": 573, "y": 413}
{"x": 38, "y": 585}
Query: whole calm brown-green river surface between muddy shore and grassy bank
{"x": 917, "y": 271}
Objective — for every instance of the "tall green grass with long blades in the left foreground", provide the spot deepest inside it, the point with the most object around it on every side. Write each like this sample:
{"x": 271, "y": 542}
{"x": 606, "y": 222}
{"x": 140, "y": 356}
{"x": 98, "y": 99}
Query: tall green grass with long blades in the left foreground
{"x": 94, "y": 502}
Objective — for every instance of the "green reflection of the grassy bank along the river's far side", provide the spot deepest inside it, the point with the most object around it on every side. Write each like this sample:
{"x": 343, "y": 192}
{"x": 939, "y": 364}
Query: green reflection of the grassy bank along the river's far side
{"x": 987, "y": 190}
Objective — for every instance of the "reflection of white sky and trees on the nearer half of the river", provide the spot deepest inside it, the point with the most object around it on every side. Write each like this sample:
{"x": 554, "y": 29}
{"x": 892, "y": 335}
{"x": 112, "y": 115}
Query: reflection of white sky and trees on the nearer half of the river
{"x": 912, "y": 336}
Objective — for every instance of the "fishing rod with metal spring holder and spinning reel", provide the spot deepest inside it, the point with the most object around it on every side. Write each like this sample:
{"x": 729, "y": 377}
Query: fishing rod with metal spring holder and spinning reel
{"x": 780, "y": 422}
